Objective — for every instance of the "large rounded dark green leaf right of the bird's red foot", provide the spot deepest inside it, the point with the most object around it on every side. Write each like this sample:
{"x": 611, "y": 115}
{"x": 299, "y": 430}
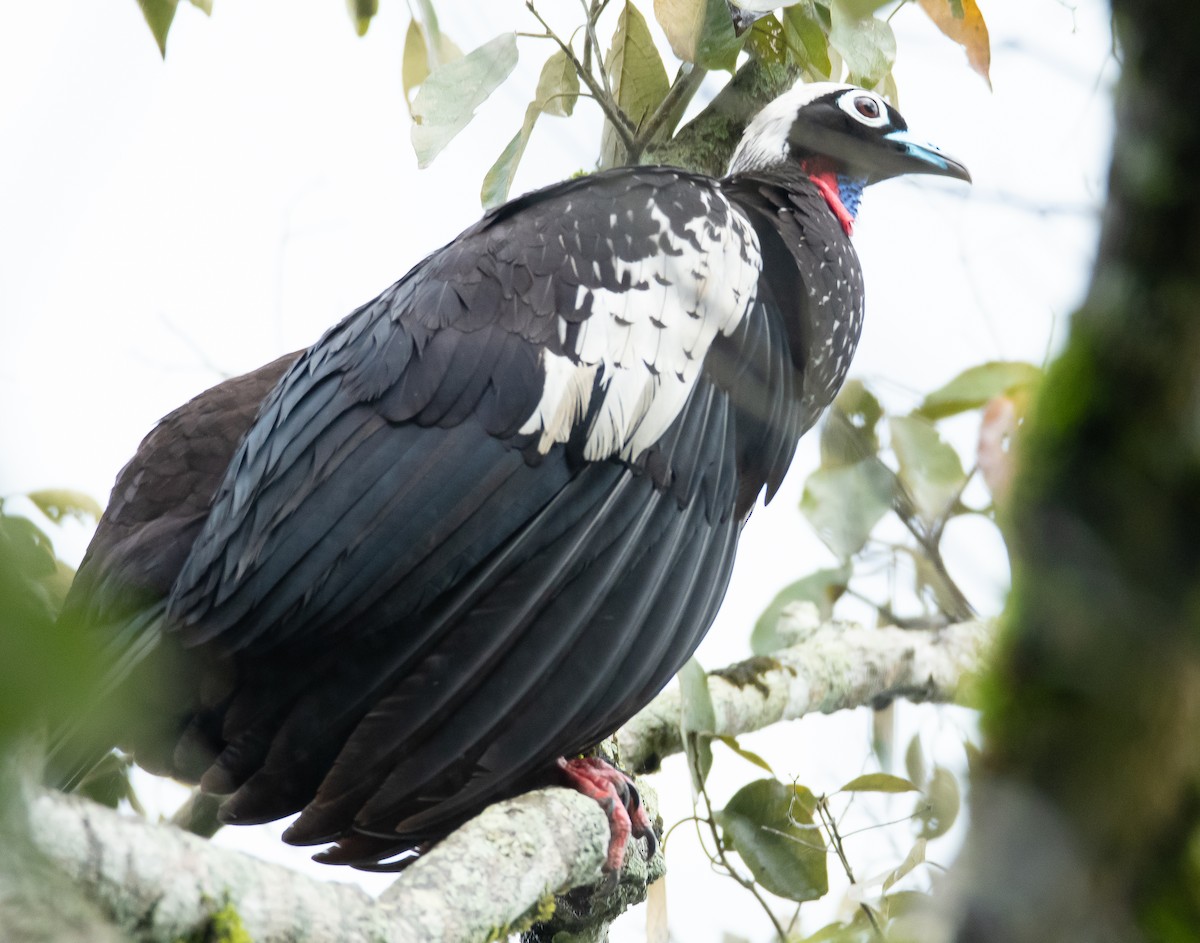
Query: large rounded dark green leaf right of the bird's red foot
{"x": 764, "y": 824}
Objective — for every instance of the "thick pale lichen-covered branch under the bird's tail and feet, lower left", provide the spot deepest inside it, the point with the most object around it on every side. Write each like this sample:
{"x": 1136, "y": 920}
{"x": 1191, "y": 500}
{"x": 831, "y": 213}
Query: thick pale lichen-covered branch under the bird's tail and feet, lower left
{"x": 163, "y": 884}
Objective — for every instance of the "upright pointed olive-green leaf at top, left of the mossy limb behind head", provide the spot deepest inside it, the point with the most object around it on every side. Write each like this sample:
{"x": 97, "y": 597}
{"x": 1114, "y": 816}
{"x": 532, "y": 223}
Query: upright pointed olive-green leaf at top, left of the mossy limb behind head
{"x": 638, "y": 76}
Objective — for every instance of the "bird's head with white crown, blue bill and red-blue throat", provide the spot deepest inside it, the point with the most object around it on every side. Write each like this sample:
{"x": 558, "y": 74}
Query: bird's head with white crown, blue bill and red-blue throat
{"x": 842, "y": 136}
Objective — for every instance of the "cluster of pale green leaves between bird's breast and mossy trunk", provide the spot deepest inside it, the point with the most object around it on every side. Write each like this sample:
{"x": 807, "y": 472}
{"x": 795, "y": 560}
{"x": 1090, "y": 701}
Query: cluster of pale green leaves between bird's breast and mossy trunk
{"x": 879, "y": 469}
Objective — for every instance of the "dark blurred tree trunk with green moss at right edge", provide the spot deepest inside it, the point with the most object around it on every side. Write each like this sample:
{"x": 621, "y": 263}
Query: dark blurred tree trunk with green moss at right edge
{"x": 1088, "y": 814}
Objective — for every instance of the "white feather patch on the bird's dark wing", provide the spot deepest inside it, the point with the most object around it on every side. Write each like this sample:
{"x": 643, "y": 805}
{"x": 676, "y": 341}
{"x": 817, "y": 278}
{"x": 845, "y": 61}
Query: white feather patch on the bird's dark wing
{"x": 646, "y": 343}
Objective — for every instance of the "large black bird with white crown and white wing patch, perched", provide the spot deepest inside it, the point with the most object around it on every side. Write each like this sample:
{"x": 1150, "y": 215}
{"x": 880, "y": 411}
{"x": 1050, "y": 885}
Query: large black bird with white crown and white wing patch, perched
{"x": 434, "y": 560}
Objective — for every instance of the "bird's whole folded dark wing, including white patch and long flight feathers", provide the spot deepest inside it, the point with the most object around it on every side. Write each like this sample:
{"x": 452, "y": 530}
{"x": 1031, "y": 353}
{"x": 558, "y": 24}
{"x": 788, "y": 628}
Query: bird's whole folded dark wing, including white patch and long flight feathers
{"x": 508, "y": 458}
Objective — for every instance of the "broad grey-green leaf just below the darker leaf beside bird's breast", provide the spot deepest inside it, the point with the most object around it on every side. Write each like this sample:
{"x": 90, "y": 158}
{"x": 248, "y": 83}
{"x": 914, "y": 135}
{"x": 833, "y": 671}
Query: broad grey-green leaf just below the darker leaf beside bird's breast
{"x": 845, "y": 504}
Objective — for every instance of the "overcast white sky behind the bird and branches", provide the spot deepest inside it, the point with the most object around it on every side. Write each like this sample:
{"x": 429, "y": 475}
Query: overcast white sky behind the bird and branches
{"x": 166, "y": 224}
